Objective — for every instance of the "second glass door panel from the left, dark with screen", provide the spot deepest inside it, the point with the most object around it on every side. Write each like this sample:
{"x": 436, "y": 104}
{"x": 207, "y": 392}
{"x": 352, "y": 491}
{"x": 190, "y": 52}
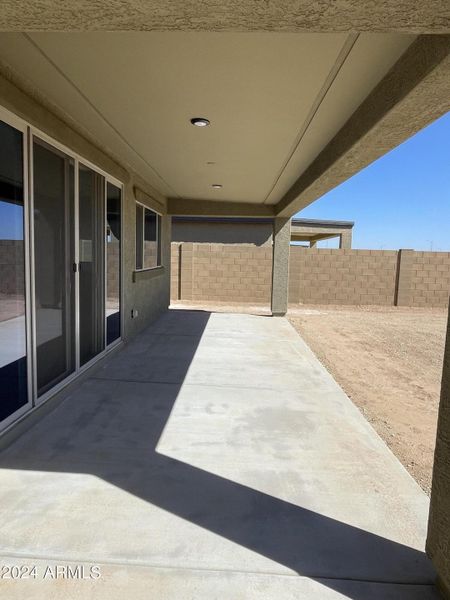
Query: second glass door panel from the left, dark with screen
{"x": 53, "y": 199}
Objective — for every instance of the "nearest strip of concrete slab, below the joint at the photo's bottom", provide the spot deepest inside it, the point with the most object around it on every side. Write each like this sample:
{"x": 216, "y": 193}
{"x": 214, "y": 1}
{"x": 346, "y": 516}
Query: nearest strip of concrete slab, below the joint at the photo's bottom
{"x": 173, "y": 584}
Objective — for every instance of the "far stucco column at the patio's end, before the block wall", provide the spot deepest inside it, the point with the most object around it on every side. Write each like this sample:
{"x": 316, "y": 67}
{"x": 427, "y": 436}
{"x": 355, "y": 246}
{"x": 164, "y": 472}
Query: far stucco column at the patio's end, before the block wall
{"x": 280, "y": 265}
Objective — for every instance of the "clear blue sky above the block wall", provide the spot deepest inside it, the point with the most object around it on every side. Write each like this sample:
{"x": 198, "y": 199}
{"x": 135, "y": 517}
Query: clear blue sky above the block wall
{"x": 402, "y": 200}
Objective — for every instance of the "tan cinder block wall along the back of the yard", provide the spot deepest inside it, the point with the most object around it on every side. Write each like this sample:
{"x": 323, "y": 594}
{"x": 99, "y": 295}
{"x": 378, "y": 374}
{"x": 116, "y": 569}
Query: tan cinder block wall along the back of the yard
{"x": 242, "y": 273}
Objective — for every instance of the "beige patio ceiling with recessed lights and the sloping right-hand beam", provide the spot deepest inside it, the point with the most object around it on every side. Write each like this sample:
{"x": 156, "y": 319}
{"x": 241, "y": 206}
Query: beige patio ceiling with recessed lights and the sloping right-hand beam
{"x": 292, "y": 115}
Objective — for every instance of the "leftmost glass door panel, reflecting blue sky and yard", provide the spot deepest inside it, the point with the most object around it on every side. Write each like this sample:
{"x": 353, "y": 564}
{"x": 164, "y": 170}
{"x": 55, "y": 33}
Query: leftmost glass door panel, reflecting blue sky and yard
{"x": 13, "y": 347}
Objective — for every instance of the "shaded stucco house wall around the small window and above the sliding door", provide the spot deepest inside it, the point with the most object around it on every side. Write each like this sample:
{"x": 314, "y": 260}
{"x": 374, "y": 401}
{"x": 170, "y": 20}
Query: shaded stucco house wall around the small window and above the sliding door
{"x": 146, "y": 291}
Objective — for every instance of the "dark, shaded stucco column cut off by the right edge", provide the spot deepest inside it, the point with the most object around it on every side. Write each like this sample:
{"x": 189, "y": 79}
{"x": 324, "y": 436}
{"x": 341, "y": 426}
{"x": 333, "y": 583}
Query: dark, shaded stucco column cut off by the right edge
{"x": 438, "y": 542}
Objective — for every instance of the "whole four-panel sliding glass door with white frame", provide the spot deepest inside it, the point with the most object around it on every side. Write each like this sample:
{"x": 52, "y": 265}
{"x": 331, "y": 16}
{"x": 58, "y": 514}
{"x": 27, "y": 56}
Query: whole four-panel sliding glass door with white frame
{"x": 60, "y": 266}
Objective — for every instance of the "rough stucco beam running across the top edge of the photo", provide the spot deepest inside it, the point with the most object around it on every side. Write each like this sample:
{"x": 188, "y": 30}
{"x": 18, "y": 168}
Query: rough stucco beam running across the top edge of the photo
{"x": 233, "y": 15}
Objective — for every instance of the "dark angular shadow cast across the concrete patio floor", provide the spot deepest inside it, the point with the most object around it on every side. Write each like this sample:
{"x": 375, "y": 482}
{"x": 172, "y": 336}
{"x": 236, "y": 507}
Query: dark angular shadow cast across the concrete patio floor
{"x": 110, "y": 428}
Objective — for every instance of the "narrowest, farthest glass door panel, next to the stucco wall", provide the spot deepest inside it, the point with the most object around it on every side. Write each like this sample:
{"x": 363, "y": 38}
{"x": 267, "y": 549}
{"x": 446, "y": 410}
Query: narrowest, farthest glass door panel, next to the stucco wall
{"x": 113, "y": 261}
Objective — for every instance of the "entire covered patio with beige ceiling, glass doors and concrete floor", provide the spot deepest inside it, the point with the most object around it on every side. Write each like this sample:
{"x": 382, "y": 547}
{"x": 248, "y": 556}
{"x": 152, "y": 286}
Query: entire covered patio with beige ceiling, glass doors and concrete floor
{"x": 191, "y": 454}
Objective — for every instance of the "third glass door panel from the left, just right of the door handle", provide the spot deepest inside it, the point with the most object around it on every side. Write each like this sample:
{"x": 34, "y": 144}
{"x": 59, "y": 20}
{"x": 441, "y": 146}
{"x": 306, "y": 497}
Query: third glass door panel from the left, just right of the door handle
{"x": 91, "y": 222}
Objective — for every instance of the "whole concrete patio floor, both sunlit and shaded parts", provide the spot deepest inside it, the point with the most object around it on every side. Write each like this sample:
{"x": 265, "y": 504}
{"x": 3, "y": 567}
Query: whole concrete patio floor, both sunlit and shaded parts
{"x": 213, "y": 457}
